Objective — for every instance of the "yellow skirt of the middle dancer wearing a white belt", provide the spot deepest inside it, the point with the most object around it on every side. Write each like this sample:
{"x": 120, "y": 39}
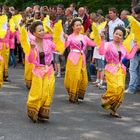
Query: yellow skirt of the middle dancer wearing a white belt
{"x": 76, "y": 80}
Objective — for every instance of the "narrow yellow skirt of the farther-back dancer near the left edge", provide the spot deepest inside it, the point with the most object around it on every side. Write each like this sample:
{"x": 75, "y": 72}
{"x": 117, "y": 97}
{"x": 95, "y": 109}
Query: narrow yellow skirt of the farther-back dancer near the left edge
{"x": 5, "y": 54}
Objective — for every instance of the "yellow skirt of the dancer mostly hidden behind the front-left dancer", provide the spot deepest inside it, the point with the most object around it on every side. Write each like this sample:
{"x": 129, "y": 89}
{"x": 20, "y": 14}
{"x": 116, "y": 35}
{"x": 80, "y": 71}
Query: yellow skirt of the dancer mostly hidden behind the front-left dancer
{"x": 28, "y": 73}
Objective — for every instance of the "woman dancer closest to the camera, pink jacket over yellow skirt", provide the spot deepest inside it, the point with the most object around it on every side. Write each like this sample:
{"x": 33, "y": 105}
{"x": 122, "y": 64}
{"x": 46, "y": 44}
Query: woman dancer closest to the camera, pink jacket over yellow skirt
{"x": 42, "y": 88}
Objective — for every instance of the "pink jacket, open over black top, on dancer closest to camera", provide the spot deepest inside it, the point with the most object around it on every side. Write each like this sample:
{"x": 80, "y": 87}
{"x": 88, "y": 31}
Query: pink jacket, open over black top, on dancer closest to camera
{"x": 39, "y": 69}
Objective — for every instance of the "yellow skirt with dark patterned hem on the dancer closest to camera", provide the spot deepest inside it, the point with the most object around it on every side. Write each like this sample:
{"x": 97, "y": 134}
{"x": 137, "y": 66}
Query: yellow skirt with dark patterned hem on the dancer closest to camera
{"x": 40, "y": 96}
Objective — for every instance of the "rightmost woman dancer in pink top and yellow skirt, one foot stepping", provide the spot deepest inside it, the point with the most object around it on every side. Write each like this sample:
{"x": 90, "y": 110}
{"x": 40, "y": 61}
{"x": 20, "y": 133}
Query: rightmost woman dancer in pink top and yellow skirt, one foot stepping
{"x": 115, "y": 71}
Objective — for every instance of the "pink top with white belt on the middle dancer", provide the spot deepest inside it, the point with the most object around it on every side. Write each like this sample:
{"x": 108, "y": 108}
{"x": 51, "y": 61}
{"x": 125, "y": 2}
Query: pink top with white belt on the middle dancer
{"x": 78, "y": 45}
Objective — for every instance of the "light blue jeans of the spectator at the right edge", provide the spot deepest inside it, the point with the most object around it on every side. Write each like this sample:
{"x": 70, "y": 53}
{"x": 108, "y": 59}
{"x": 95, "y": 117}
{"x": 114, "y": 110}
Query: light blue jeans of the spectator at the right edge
{"x": 134, "y": 70}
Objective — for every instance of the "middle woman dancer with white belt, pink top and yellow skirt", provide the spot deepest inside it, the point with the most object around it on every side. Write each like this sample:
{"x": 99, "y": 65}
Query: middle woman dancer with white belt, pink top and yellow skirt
{"x": 76, "y": 74}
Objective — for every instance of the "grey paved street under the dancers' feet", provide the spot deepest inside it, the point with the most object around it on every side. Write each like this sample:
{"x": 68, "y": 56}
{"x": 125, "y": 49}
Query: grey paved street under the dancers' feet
{"x": 83, "y": 121}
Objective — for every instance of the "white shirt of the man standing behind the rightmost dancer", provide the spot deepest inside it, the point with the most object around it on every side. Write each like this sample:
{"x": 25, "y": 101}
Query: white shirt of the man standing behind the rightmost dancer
{"x": 112, "y": 24}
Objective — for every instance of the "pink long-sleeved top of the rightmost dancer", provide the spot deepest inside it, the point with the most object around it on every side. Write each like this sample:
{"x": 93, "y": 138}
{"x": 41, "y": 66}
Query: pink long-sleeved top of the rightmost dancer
{"x": 110, "y": 52}
